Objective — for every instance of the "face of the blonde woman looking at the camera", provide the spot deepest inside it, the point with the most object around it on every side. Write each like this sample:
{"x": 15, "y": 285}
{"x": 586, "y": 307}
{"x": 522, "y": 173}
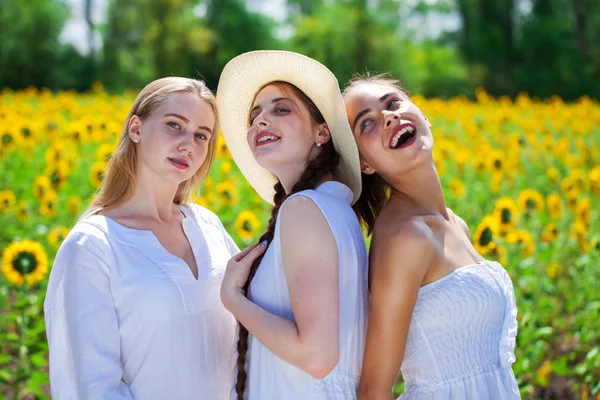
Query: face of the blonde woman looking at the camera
{"x": 174, "y": 139}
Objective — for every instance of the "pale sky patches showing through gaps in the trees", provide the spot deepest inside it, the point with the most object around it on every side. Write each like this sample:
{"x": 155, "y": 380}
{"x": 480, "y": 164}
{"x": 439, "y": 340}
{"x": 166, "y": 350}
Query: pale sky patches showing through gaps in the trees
{"x": 75, "y": 30}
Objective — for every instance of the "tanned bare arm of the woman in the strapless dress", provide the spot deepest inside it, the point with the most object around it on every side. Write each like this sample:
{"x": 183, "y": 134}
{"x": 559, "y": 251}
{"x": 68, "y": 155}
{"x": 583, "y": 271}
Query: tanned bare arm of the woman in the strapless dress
{"x": 399, "y": 261}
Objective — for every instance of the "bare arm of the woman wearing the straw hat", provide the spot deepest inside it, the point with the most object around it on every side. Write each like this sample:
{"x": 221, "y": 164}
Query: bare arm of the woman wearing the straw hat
{"x": 310, "y": 263}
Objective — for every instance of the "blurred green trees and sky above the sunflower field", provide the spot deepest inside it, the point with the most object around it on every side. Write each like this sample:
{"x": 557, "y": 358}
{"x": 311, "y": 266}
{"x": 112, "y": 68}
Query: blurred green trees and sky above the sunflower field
{"x": 439, "y": 47}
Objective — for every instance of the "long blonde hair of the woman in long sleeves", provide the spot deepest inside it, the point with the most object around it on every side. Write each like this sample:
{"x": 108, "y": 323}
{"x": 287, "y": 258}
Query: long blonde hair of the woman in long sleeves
{"x": 120, "y": 173}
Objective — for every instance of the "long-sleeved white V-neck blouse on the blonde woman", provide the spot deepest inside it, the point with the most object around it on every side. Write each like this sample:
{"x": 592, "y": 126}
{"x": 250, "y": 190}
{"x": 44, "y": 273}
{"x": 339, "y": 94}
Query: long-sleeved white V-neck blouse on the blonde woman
{"x": 120, "y": 308}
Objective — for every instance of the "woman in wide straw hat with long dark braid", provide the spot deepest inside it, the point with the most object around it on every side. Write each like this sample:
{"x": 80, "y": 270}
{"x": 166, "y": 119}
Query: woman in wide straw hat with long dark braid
{"x": 286, "y": 128}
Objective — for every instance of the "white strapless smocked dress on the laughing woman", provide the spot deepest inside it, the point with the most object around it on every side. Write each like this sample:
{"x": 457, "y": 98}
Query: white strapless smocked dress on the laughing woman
{"x": 462, "y": 336}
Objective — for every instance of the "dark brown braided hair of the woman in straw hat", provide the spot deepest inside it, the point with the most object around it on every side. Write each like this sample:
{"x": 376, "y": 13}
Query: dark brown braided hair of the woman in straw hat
{"x": 325, "y": 162}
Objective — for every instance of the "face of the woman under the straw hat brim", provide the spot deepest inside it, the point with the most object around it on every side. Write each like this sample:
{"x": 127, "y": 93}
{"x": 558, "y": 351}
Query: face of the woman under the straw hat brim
{"x": 282, "y": 134}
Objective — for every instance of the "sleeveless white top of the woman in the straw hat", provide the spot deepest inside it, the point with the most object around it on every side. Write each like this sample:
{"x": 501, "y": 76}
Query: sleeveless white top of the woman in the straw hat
{"x": 271, "y": 378}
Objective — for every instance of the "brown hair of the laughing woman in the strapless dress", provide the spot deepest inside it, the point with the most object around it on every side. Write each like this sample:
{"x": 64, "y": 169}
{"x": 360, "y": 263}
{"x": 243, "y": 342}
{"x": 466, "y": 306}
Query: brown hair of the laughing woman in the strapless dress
{"x": 375, "y": 191}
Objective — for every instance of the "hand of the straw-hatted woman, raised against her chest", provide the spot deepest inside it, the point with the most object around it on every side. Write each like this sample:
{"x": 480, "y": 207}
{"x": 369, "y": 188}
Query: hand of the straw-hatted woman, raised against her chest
{"x": 236, "y": 274}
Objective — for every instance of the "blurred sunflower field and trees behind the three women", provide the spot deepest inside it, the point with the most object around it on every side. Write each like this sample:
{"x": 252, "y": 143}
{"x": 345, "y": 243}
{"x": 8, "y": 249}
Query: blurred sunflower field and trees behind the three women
{"x": 511, "y": 88}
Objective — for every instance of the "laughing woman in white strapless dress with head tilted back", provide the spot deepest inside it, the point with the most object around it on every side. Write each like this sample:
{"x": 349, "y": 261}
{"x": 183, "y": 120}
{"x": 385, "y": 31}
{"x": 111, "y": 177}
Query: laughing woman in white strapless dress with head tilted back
{"x": 438, "y": 310}
